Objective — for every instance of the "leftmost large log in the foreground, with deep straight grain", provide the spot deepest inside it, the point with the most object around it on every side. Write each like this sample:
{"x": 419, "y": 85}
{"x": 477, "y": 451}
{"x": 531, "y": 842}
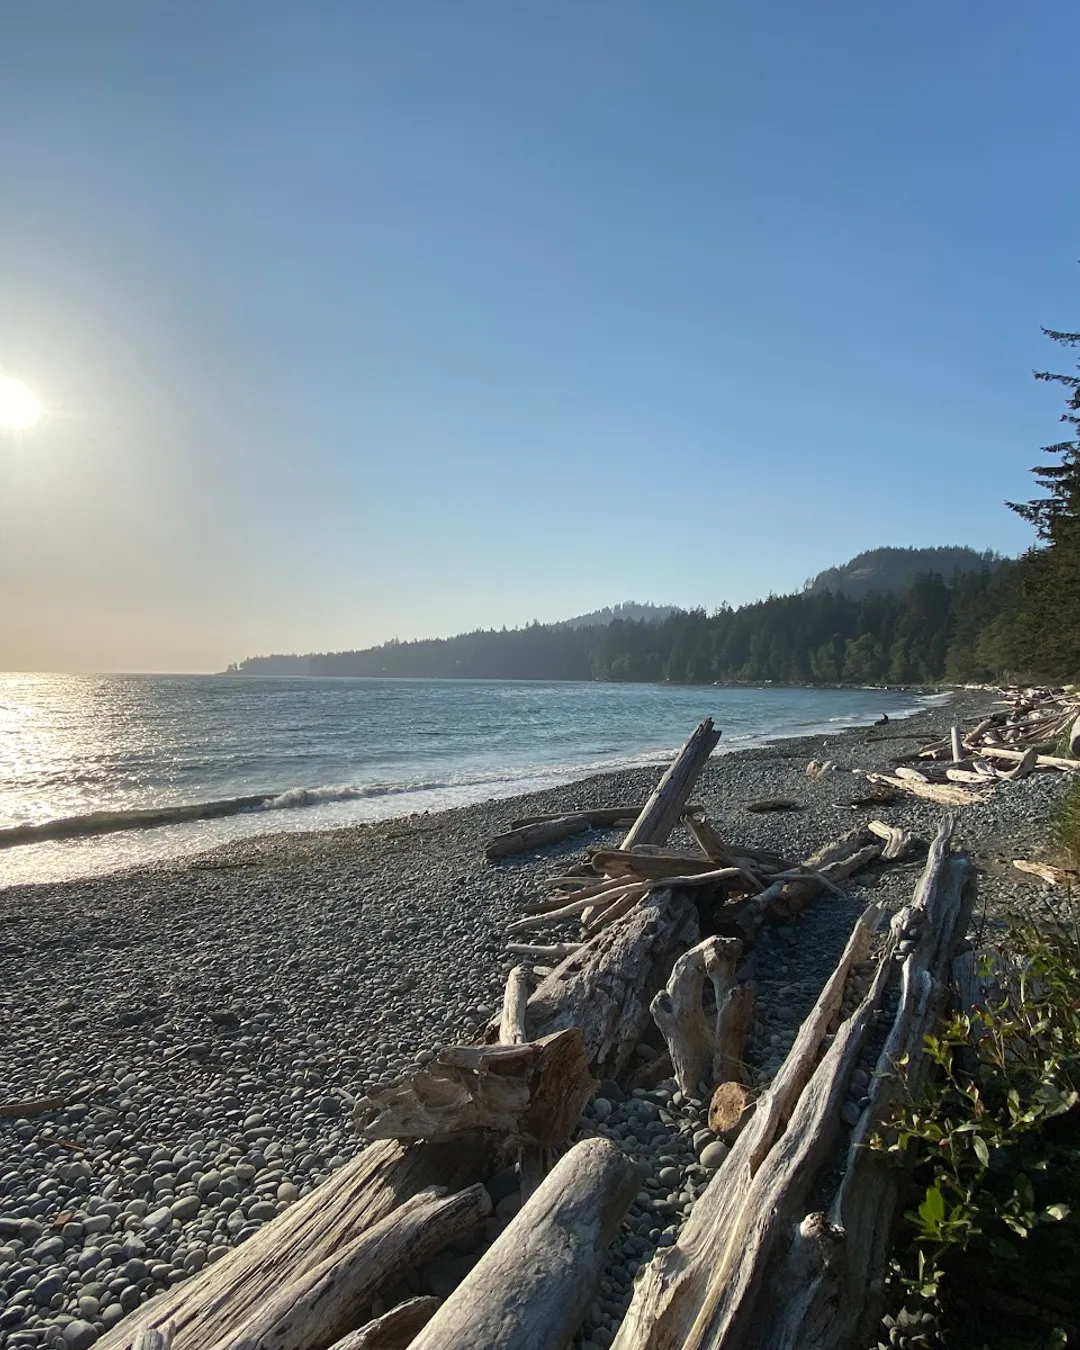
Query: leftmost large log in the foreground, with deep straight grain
{"x": 221, "y": 1298}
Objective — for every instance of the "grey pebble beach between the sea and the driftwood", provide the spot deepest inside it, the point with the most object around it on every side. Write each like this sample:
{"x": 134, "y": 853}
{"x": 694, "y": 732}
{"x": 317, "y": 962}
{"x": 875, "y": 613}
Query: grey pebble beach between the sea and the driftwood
{"x": 210, "y": 1024}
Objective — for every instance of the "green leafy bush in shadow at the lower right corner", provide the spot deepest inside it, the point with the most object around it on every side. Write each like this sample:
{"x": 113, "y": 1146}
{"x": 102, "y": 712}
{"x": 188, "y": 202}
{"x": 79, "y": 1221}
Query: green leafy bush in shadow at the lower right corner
{"x": 992, "y": 1251}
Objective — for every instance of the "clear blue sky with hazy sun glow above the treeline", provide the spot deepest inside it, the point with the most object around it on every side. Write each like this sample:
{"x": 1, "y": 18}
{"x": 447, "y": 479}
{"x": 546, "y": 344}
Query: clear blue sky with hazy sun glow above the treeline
{"x": 364, "y": 321}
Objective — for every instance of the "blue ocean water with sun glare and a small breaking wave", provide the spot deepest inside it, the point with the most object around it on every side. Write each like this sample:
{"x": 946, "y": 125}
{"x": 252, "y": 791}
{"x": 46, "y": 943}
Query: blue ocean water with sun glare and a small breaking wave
{"x": 99, "y": 773}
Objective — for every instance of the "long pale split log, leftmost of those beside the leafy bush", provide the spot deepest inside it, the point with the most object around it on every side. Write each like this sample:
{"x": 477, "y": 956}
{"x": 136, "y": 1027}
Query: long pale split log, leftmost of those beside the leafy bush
{"x": 684, "y": 1279}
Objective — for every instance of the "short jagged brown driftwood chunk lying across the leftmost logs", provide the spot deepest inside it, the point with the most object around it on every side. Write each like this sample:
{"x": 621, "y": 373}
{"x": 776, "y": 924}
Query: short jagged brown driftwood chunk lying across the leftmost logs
{"x": 529, "y": 1094}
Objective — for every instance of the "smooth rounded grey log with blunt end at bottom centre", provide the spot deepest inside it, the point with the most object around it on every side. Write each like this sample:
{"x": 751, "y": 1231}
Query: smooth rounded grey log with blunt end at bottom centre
{"x": 531, "y": 1289}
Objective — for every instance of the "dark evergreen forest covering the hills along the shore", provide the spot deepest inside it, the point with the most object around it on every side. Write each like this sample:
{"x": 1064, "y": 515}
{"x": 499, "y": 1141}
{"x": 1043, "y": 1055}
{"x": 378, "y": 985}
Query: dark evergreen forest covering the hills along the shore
{"x": 994, "y": 620}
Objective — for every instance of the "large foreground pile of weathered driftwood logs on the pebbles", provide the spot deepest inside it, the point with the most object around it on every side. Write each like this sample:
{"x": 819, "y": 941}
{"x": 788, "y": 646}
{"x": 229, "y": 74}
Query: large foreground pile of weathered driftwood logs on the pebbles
{"x": 664, "y": 940}
